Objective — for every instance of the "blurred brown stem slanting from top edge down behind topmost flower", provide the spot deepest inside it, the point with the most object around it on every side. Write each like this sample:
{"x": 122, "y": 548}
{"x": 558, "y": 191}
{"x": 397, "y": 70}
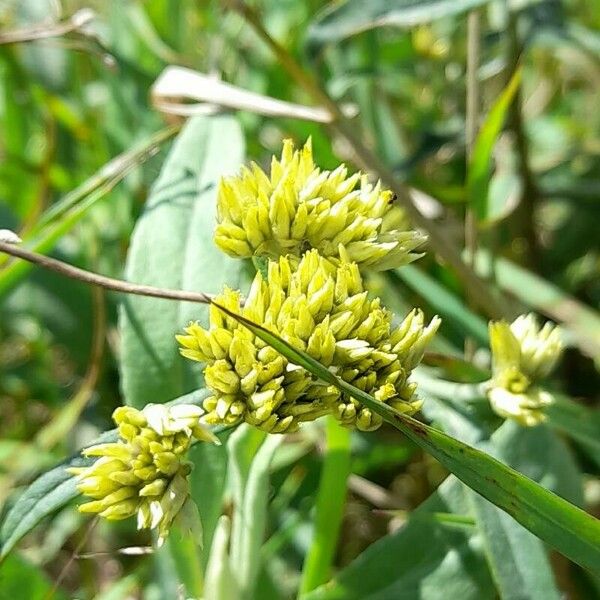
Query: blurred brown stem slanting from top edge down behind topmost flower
{"x": 438, "y": 238}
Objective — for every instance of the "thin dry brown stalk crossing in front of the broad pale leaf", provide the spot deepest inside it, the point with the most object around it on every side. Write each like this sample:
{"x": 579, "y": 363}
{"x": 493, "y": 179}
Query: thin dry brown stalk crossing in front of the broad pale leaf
{"x": 116, "y": 285}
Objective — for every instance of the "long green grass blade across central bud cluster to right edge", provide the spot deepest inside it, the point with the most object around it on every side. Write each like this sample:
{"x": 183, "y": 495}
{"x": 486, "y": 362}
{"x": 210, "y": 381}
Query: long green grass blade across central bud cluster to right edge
{"x": 567, "y": 528}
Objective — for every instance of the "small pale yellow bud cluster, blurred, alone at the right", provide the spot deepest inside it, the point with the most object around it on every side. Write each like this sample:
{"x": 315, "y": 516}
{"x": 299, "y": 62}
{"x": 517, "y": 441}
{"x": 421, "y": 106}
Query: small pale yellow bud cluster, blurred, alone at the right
{"x": 522, "y": 354}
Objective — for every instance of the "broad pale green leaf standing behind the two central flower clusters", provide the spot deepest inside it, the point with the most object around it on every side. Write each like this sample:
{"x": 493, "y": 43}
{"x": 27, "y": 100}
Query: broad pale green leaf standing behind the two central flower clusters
{"x": 172, "y": 247}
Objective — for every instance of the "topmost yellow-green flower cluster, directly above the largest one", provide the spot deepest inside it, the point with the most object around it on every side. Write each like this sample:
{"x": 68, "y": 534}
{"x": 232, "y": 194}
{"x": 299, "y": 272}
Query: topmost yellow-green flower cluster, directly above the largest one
{"x": 298, "y": 207}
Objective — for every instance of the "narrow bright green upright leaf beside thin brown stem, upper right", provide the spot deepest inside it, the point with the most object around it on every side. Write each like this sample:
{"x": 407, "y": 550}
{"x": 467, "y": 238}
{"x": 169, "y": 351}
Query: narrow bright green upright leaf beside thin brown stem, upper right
{"x": 478, "y": 178}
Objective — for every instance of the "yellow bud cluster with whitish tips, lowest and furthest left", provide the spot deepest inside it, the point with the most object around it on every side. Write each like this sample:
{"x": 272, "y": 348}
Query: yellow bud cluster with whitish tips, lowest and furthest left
{"x": 145, "y": 472}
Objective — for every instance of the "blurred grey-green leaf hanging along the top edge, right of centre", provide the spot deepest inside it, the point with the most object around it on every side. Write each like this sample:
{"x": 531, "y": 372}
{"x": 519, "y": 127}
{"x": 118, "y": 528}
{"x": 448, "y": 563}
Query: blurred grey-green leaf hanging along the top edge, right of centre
{"x": 349, "y": 18}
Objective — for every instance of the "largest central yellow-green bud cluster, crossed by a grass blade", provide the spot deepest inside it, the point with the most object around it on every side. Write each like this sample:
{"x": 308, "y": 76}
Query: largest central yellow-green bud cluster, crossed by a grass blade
{"x": 322, "y": 309}
